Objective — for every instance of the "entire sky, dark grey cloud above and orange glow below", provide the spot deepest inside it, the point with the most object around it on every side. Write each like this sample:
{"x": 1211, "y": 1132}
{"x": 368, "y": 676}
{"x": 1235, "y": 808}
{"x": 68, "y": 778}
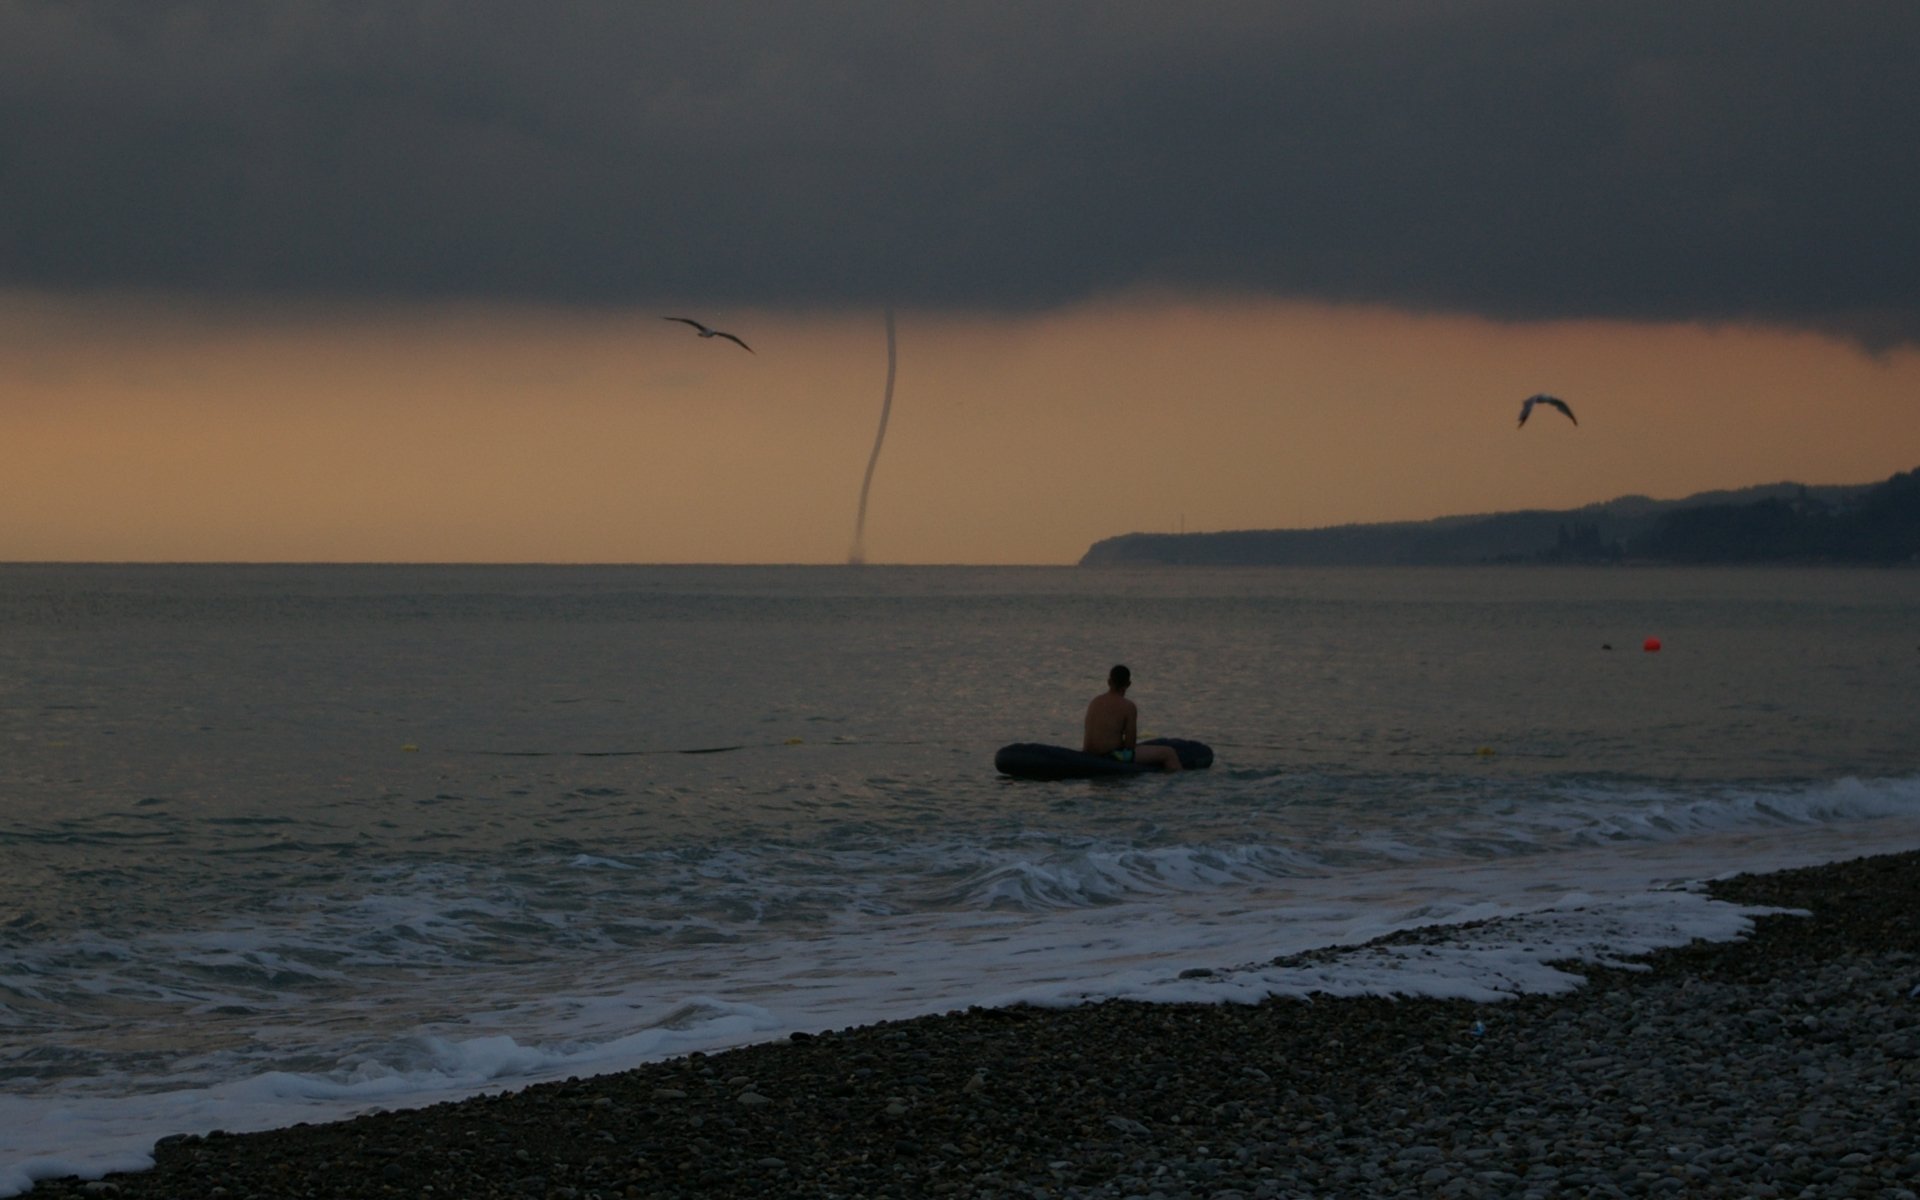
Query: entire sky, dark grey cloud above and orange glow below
{"x": 383, "y": 281}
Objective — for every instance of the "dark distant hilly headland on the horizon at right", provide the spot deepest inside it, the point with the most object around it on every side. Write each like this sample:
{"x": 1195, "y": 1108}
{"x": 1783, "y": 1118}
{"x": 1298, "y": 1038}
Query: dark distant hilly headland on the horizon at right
{"x": 1775, "y": 523}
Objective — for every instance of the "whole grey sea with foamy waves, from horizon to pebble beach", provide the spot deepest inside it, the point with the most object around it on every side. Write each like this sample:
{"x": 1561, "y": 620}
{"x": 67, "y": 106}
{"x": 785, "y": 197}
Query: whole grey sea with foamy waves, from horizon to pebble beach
{"x": 293, "y": 844}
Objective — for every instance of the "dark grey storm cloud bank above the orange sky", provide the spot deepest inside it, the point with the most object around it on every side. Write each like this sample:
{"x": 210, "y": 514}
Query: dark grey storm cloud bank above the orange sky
{"x": 1708, "y": 160}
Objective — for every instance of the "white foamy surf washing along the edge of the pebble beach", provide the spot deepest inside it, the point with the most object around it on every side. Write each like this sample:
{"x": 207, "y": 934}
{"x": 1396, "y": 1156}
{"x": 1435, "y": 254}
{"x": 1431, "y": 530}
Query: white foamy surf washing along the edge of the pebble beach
{"x": 1520, "y": 919}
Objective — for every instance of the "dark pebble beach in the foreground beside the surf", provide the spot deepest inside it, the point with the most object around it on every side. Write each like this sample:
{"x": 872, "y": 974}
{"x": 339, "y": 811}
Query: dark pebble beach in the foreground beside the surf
{"x": 1764, "y": 1067}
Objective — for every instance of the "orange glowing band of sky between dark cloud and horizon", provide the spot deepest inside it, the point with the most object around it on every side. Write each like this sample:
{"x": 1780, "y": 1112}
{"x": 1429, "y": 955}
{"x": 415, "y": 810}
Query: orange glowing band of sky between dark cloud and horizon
{"x": 145, "y": 431}
